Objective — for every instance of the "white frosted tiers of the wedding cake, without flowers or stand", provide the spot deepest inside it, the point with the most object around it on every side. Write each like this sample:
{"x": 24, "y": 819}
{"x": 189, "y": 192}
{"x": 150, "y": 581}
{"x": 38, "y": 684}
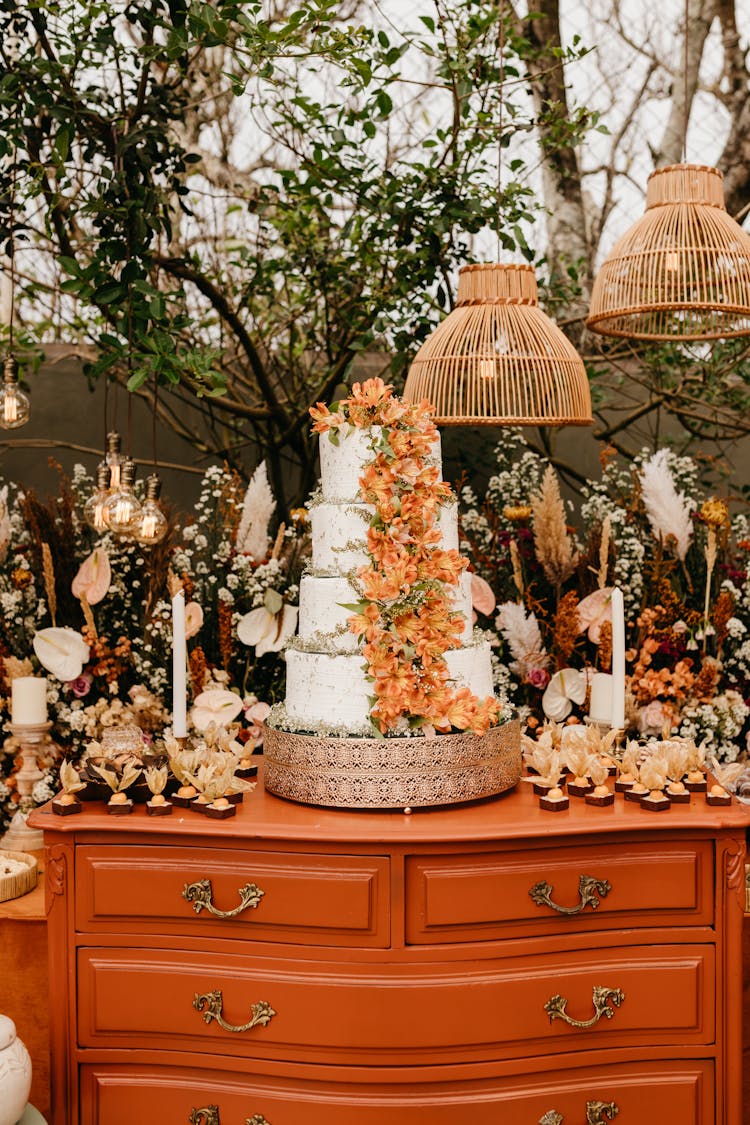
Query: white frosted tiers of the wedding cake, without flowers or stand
{"x": 328, "y": 688}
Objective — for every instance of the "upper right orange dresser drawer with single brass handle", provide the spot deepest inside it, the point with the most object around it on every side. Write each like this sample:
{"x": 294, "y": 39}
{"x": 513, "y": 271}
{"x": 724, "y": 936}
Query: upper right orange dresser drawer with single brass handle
{"x": 495, "y": 895}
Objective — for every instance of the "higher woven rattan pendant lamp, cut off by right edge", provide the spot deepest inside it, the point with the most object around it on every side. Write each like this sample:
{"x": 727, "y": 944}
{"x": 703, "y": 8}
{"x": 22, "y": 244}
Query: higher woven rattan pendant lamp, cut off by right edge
{"x": 683, "y": 271}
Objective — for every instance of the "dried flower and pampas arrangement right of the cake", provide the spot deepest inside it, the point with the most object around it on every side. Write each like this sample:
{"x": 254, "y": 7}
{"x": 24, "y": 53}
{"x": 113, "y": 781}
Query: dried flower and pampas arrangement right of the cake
{"x": 684, "y": 568}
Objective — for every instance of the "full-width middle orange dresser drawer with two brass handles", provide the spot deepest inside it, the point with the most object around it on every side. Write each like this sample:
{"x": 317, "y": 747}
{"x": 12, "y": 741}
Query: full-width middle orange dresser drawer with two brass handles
{"x": 375, "y": 1013}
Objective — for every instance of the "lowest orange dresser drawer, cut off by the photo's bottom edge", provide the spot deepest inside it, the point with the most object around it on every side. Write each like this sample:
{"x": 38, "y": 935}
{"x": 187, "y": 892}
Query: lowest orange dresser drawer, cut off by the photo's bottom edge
{"x": 645, "y": 1094}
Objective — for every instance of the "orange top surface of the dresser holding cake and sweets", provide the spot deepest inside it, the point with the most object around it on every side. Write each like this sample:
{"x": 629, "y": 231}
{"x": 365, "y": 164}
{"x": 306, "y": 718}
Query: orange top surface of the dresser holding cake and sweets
{"x": 511, "y": 816}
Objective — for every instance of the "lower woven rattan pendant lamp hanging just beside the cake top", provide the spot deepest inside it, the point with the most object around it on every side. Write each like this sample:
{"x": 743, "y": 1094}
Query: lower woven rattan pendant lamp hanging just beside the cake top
{"x": 498, "y": 359}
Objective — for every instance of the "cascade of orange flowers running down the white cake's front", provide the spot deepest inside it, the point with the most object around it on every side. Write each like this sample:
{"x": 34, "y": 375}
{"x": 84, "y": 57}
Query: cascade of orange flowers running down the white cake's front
{"x": 405, "y": 616}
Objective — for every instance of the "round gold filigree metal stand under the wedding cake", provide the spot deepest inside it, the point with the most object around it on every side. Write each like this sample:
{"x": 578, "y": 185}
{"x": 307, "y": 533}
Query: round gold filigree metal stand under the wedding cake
{"x": 391, "y": 773}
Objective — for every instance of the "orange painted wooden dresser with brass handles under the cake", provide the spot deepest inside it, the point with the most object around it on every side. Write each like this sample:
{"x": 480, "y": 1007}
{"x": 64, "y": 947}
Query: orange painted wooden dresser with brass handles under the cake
{"x": 476, "y": 966}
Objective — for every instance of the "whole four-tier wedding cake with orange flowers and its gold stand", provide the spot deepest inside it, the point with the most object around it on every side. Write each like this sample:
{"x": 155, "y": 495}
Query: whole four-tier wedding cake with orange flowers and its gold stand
{"x": 390, "y": 697}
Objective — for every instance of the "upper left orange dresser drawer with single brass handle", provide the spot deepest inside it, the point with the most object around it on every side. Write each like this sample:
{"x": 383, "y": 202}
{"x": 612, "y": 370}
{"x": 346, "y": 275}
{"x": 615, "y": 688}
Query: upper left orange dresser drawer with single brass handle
{"x": 277, "y": 897}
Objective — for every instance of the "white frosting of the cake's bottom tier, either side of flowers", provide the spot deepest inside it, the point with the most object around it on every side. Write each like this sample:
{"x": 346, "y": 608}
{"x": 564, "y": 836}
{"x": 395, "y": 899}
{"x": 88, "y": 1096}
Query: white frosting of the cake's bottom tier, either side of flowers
{"x": 335, "y": 690}
